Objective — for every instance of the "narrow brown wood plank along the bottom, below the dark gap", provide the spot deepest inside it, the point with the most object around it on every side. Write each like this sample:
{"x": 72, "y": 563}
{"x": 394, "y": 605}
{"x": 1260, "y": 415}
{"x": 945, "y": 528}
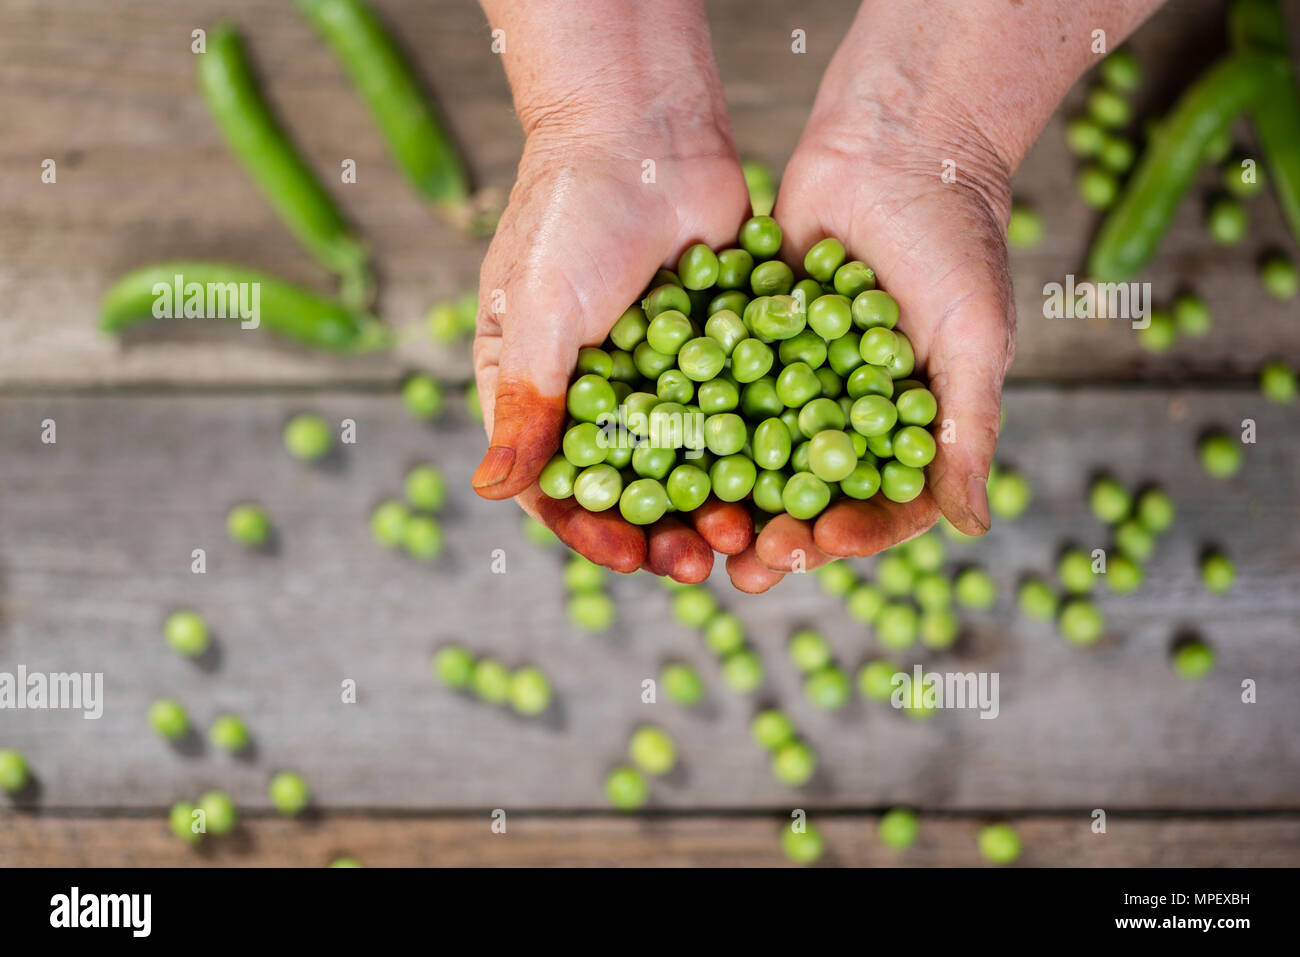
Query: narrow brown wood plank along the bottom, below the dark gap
{"x": 647, "y": 842}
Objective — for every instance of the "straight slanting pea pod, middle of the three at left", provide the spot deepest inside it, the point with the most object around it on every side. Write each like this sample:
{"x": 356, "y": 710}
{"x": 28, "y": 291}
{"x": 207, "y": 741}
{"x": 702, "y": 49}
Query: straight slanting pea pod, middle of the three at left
{"x": 266, "y": 151}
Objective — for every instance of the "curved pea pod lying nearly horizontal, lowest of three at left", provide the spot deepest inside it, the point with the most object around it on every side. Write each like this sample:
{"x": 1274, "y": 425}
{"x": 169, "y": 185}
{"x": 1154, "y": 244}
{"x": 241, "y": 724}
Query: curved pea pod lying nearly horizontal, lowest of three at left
{"x": 232, "y": 293}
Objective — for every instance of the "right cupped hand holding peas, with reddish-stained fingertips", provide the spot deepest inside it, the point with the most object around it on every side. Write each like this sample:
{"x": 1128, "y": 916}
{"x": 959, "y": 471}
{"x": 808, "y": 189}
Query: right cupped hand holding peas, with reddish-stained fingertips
{"x": 876, "y": 181}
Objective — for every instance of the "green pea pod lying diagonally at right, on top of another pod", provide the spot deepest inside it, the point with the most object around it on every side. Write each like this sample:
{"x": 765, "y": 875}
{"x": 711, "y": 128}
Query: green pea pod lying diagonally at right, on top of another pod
{"x": 1134, "y": 228}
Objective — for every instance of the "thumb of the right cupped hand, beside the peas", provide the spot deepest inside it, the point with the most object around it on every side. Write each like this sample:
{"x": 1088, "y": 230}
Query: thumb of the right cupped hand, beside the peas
{"x": 970, "y": 353}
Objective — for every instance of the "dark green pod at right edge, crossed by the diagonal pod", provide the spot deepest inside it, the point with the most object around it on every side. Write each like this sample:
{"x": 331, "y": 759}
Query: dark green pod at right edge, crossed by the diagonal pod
{"x": 1258, "y": 27}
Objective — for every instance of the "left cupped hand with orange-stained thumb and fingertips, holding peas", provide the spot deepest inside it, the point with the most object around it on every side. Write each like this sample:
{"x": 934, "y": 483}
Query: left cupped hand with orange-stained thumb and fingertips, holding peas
{"x": 582, "y": 237}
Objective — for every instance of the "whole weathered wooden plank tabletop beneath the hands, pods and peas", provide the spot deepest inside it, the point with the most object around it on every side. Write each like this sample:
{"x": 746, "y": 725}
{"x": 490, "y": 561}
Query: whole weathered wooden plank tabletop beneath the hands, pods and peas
{"x": 159, "y": 438}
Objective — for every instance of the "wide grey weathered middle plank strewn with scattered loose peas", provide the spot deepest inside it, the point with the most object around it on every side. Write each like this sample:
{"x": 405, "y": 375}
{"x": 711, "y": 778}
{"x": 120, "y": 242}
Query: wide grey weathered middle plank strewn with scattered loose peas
{"x": 97, "y": 535}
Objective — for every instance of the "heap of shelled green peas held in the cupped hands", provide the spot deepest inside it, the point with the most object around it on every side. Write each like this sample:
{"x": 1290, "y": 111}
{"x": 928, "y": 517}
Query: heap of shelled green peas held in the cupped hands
{"x": 733, "y": 379}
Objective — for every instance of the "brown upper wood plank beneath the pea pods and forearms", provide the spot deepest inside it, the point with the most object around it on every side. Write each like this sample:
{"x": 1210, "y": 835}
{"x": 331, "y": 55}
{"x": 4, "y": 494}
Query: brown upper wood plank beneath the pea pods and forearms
{"x": 144, "y": 177}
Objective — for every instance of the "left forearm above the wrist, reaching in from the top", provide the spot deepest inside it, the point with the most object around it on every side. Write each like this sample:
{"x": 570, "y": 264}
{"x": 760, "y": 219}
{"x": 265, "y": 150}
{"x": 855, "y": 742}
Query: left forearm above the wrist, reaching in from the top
{"x": 604, "y": 66}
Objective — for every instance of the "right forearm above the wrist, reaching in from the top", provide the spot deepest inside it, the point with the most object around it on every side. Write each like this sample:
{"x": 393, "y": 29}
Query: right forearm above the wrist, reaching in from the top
{"x": 993, "y": 70}
